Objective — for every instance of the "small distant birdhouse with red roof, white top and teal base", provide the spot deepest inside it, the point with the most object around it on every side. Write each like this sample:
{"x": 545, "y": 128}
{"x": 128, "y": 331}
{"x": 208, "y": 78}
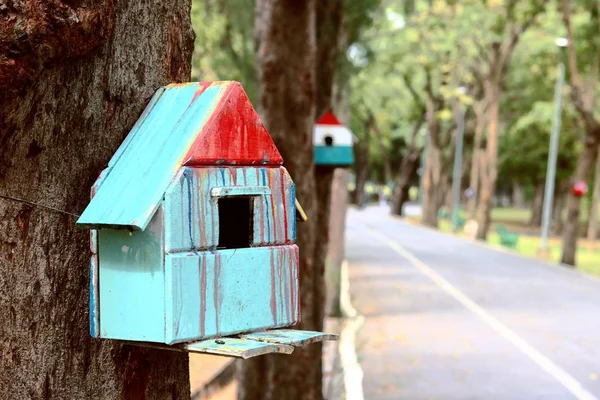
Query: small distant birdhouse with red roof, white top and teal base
{"x": 332, "y": 142}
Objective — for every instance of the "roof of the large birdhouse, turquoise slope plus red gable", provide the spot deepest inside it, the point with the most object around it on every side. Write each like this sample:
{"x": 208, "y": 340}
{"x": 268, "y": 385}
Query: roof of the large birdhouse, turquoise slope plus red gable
{"x": 194, "y": 124}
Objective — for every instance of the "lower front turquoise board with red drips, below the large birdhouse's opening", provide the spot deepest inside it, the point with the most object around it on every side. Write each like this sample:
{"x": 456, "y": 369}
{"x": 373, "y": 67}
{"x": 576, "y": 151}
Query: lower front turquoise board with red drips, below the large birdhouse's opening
{"x": 232, "y": 291}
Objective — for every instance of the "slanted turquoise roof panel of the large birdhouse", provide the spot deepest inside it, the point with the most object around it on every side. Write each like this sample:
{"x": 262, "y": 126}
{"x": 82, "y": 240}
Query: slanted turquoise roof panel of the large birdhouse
{"x": 142, "y": 171}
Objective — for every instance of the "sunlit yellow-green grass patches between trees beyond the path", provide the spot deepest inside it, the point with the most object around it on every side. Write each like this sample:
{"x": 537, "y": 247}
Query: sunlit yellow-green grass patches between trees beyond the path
{"x": 588, "y": 256}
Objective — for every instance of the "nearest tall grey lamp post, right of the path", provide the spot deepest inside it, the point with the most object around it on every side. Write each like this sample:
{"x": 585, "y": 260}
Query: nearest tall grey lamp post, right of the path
{"x": 553, "y": 153}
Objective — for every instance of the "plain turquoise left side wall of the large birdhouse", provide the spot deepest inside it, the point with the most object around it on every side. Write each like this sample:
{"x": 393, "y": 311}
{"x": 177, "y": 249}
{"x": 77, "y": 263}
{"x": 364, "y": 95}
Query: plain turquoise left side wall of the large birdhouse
{"x": 131, "y": 290}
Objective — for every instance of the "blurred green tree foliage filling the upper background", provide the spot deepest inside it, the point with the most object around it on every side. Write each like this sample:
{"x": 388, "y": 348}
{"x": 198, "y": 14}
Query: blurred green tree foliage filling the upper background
{"x": 390, "y": 47}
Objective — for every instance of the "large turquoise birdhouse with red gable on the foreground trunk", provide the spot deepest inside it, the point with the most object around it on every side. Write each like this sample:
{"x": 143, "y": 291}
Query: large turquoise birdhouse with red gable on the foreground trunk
{"x": 193, "y": 225}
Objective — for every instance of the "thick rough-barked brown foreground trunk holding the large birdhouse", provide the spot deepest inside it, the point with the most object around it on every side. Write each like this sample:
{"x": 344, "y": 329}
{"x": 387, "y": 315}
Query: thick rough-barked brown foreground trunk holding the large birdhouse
{"x": 83, "y": 74}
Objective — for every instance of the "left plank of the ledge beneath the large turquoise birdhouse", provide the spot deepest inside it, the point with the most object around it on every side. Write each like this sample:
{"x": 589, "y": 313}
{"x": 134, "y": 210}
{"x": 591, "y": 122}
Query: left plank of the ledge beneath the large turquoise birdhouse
{"x": 234, "y": 347}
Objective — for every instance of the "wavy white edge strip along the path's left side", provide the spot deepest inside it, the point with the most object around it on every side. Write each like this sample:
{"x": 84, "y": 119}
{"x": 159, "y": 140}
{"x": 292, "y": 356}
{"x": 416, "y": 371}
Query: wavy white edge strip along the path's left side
{"x": 353, "y": 374}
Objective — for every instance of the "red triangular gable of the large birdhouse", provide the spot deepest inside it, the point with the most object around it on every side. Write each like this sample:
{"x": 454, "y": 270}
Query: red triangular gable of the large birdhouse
{"x": 233, "y": 134}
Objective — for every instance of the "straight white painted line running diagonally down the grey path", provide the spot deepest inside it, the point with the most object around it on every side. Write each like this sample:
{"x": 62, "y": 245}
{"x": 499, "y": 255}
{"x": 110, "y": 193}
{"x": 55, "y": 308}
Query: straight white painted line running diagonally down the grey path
{"x": 562, "y": 376}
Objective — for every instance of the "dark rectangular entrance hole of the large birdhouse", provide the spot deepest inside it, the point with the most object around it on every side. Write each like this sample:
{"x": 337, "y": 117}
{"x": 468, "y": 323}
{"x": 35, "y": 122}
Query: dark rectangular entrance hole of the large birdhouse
{"x": 235, "y": 222}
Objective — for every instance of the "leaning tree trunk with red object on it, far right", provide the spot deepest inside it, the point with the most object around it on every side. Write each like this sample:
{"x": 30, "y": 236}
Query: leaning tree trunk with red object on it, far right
{"x": 585, "y": 164}
